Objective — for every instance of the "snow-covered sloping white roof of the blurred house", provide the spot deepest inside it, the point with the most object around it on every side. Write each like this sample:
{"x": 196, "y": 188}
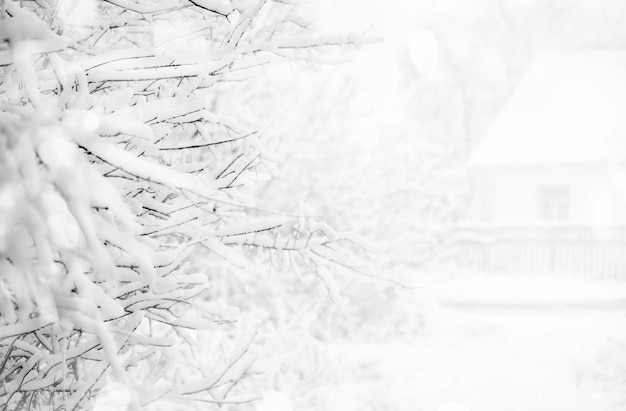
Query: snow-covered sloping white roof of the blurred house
{"x": 569, "y": 108}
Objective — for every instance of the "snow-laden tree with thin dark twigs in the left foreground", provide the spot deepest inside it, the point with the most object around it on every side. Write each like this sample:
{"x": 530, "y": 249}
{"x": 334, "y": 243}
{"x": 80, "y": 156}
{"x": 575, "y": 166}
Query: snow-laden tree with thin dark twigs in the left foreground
{"x": 129, "y": 156}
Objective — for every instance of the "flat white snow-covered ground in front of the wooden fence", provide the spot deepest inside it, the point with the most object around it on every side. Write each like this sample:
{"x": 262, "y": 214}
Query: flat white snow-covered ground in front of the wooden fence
{"x": 494, "y": 344}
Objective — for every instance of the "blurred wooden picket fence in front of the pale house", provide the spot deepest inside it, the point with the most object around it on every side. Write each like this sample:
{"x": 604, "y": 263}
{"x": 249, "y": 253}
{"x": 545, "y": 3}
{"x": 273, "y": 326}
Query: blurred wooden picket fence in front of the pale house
{"x": 560, "y": 250}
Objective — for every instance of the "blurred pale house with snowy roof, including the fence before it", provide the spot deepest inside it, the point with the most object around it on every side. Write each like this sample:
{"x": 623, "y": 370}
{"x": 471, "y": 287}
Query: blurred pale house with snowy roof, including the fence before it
{"x": 549, "y": 177}
